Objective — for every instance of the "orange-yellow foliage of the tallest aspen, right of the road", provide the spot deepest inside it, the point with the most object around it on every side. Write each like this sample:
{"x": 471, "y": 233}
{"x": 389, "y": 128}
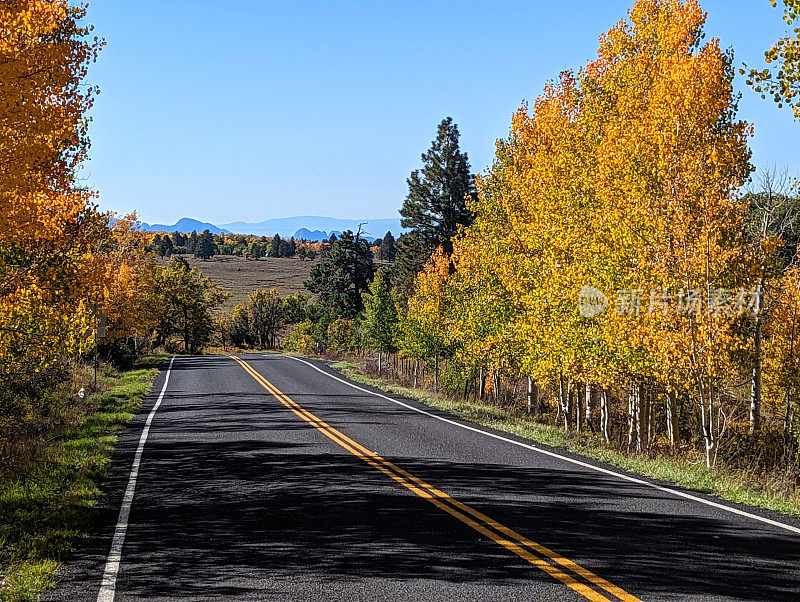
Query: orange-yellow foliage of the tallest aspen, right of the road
{"x": 669, "y": 165}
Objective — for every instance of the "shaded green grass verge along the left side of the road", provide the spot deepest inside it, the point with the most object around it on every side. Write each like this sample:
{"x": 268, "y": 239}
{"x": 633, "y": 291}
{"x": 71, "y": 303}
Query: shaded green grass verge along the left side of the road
{"x": 44, "y": 512}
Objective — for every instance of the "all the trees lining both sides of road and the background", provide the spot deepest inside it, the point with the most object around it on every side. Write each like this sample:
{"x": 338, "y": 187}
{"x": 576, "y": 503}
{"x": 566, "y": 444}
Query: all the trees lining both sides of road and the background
{"x": 618, "y": 268}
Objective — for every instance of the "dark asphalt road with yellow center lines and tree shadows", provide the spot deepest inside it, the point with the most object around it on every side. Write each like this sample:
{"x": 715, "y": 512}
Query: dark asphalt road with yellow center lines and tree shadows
{"x": 301, "y": 487}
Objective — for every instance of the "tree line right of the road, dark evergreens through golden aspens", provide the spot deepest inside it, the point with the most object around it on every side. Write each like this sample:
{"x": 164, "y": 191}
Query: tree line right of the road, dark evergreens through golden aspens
{"x": 619, "y": 268}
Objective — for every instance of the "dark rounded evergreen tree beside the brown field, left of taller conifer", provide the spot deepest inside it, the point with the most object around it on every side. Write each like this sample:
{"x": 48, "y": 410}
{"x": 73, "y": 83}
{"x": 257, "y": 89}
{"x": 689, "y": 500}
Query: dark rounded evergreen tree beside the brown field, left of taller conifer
{"x": 342, "y": 277}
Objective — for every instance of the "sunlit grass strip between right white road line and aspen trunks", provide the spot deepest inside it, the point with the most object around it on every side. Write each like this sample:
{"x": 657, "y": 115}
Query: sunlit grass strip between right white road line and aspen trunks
{"x": 729, "y": 485}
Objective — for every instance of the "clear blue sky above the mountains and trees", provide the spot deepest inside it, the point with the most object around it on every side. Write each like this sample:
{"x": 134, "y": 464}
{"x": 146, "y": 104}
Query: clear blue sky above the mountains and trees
{"x": 251, "y": 110}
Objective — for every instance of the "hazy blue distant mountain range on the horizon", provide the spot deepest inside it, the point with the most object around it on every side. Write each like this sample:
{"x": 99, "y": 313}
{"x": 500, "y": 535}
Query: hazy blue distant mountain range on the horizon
{"x": 308, "y": 227}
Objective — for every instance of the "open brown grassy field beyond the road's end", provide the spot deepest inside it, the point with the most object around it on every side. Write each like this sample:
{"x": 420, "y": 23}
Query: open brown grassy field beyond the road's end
{"x": 240, "y": 277}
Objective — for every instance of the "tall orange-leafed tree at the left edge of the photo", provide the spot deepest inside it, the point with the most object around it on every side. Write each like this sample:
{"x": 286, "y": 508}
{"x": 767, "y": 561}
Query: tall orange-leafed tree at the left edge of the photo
{"x": 49, "y": 229}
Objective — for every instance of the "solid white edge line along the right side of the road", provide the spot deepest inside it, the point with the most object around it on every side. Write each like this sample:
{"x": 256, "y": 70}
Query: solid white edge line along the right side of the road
{"x": 546, "y": 452}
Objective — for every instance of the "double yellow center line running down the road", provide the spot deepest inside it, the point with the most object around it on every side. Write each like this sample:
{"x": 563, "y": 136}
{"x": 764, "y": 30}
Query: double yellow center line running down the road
{"x": 574, "y": 576}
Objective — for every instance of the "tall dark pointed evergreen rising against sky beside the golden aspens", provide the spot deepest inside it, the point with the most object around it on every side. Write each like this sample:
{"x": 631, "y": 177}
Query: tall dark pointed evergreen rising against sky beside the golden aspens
{"x": 436, "y": 204}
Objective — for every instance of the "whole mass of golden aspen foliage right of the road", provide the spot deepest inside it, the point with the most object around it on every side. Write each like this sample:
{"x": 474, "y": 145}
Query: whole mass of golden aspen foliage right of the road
{"x": 624, "y": 179}
